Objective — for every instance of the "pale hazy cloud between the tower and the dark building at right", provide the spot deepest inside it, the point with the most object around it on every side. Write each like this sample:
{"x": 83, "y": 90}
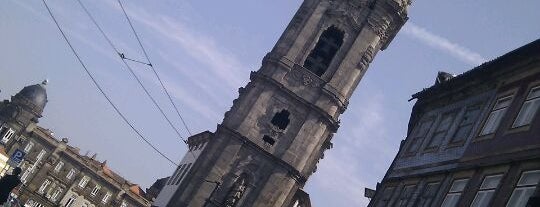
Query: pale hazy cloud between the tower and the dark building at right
{"x": 344, "y": 170}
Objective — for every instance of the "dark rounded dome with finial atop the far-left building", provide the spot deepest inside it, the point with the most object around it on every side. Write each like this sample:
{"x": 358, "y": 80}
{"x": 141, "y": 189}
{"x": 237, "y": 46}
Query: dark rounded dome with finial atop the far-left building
{"x": 34, "y": 96}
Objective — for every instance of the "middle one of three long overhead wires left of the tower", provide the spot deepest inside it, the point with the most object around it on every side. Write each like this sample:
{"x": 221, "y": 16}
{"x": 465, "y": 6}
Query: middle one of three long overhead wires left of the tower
{"x": 132, "y": 72}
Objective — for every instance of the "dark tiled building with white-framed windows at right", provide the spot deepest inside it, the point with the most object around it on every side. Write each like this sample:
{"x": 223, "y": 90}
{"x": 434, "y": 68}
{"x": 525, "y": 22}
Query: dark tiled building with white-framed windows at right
{"x": 473, "y": 139}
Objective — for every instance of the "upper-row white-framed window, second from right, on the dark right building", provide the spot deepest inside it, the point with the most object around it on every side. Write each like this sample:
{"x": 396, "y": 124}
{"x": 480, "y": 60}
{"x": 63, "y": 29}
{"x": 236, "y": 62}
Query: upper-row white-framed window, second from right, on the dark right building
{"x": 496, "y": 115}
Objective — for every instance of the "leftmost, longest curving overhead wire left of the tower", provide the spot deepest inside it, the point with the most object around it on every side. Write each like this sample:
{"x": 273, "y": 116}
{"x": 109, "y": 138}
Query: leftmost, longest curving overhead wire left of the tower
{"x": 124, "y": 118}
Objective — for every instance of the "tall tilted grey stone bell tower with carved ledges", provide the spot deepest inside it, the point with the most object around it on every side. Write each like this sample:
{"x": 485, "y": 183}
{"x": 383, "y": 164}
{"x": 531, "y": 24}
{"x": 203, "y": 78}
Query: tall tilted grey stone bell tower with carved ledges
{"x": 278, "y": 128}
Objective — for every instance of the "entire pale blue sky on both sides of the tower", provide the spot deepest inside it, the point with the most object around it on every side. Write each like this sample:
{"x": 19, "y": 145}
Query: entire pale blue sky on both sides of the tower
{"x": 204, "y": 51}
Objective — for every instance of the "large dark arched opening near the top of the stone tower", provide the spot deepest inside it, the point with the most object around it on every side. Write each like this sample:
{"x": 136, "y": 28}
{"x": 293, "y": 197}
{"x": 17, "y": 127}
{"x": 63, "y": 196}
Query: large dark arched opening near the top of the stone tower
{"x": 326, "y": 48}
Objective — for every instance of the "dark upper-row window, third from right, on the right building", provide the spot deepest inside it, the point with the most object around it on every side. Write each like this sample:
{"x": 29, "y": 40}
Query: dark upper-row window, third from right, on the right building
{"x": 466, "y": 124}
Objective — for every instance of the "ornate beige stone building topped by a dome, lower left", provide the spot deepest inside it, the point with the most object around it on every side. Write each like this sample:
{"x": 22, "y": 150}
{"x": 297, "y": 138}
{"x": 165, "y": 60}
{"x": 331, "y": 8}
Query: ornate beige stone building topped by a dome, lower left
{"x": 54, "y": 173}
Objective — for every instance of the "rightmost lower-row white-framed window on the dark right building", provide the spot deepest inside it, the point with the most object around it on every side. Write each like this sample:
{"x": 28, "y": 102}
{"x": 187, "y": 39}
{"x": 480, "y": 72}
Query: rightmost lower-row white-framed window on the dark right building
{"x": 524, "y": 188}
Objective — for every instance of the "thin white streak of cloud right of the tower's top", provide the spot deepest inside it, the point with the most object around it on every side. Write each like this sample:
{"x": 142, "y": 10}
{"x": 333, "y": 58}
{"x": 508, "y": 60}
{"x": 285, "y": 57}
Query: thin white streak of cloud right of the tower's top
{"x": 462, "y": 53}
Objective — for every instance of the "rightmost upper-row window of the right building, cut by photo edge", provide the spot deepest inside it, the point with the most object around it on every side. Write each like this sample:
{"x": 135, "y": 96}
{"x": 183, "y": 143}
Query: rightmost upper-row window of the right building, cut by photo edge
{"x": 528, "y": 109}
